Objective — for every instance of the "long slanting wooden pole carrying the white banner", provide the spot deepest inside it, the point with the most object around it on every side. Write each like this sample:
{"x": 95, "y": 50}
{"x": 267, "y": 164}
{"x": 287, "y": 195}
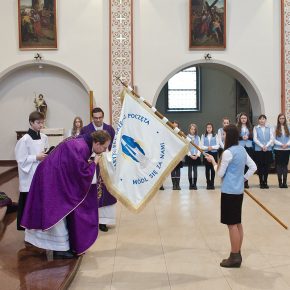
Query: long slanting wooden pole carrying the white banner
{"x": 202, "y": 151}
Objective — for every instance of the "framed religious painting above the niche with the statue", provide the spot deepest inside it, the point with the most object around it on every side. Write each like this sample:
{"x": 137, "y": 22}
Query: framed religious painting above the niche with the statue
{"x": 37, "y": 24}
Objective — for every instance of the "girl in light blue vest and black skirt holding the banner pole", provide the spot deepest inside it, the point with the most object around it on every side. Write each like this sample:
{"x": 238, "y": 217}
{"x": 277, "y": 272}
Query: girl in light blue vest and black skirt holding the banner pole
{"x": 231, "y": 170}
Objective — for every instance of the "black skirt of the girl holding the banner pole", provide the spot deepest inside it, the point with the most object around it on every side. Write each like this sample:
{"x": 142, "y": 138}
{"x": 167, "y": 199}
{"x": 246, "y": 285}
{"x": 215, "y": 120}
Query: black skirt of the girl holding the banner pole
{"x": 231, "y": 208}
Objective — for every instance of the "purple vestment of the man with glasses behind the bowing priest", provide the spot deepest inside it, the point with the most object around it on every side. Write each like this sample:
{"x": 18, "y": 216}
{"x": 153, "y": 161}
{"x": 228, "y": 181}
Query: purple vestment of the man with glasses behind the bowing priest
{"x": 106, "y": 198}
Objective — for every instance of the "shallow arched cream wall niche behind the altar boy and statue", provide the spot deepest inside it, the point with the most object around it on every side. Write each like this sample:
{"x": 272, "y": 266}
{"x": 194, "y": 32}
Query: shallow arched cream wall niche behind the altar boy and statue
{"x": 65, "y": 92}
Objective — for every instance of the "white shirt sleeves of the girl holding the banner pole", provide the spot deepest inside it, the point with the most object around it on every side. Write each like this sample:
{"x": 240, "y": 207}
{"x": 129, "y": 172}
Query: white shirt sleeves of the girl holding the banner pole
{"x": 227, "y": 158}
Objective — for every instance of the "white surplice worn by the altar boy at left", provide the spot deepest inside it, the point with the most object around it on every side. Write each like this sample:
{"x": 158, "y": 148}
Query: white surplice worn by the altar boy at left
{"x": 26, "y": 150}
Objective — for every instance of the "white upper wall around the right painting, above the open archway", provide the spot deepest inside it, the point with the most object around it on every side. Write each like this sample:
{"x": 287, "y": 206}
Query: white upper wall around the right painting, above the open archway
{"x": 253, "y": 45}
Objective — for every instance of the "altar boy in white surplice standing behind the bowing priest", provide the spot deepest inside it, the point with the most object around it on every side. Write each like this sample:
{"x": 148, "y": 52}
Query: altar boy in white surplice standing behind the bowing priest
{"x": 29, "y": 152}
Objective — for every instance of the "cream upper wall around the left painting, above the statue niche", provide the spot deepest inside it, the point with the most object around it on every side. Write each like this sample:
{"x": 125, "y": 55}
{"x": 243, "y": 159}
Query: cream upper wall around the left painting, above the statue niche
{"x": 83, "y": 42}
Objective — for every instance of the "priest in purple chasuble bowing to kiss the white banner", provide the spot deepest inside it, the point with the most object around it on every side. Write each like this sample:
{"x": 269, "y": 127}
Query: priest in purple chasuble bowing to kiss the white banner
{"x": 61, "y": 213}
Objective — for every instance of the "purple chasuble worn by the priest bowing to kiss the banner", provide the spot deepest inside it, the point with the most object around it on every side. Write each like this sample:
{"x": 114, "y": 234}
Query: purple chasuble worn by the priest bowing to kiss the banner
{"x": 61, "y": 187}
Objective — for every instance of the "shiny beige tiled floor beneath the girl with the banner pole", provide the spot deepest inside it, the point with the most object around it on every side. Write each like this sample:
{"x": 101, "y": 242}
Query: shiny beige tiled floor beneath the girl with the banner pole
{"x": 177, "y": 242}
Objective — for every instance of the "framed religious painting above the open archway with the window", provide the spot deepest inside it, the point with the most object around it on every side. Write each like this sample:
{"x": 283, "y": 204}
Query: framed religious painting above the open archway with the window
{"x": 207, "y": 24}
